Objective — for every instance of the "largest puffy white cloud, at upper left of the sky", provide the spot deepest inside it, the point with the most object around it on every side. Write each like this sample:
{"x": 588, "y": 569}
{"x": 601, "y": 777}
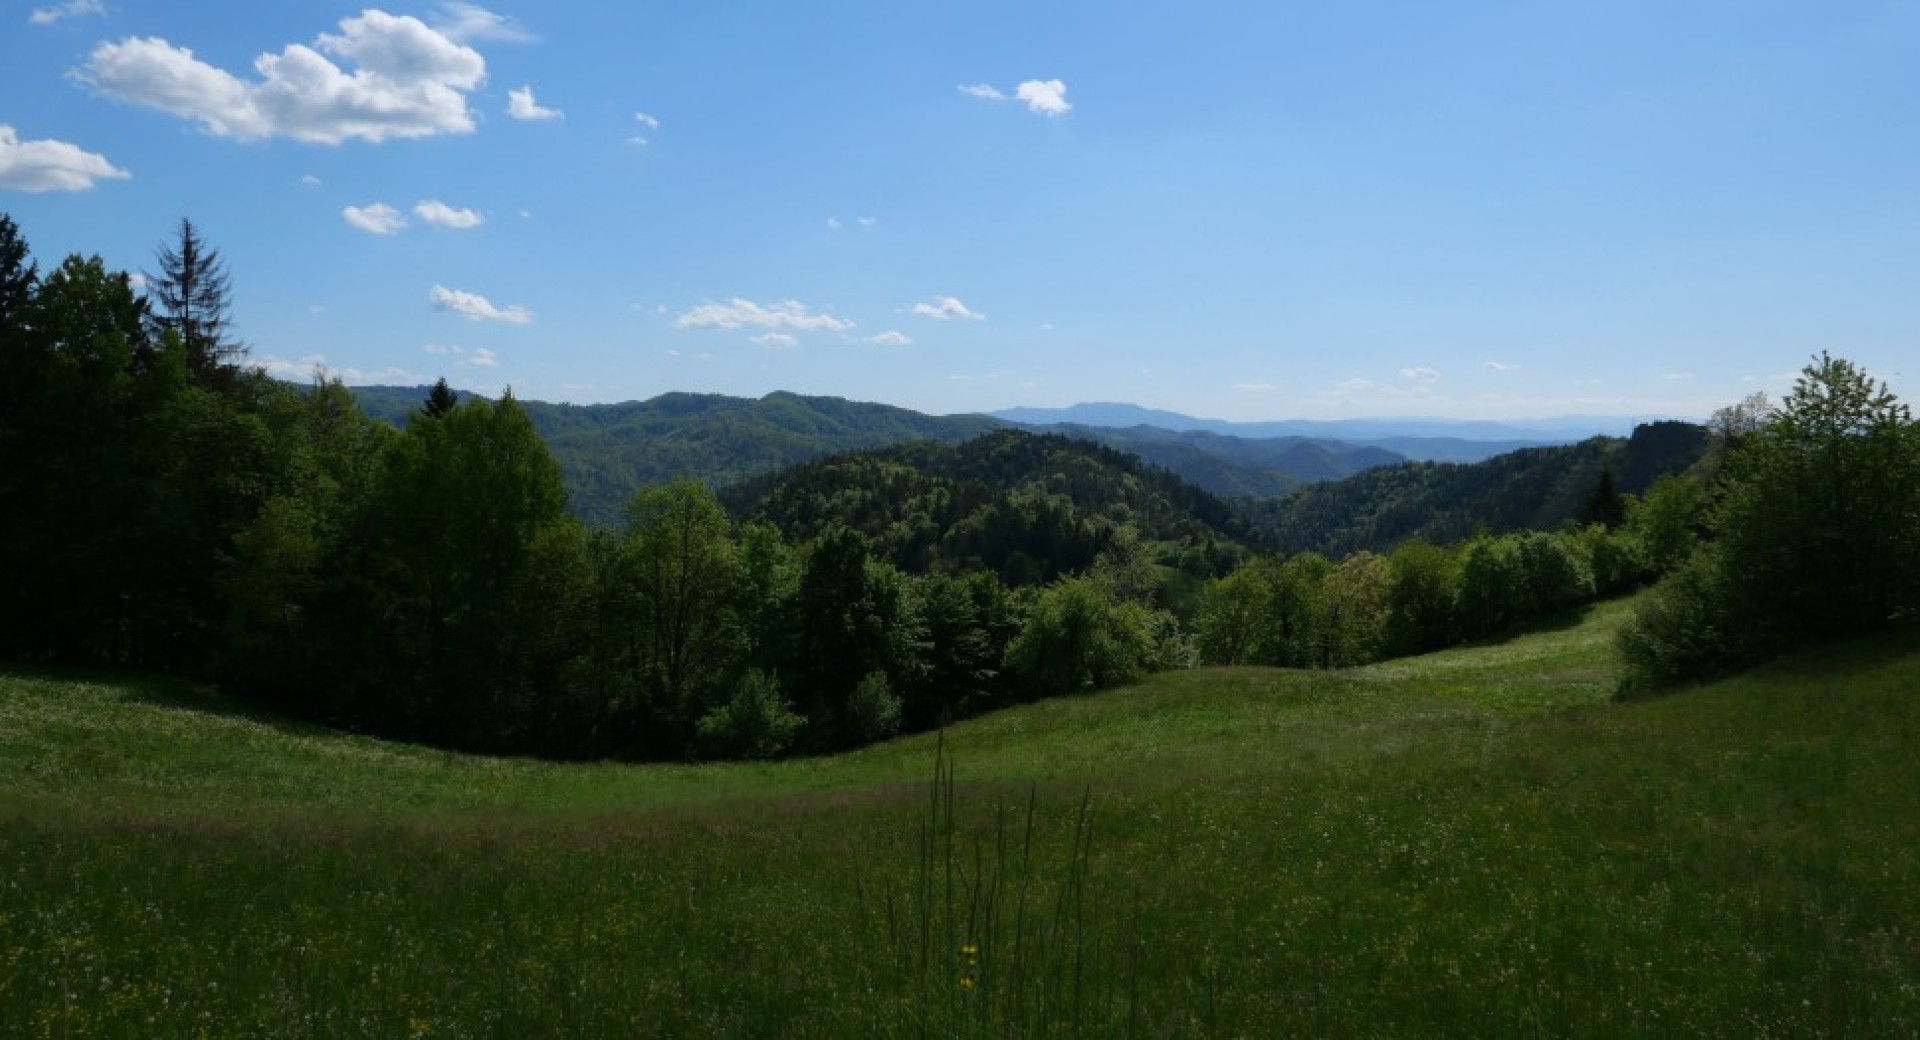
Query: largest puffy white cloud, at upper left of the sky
{"x": 408, "y": 82}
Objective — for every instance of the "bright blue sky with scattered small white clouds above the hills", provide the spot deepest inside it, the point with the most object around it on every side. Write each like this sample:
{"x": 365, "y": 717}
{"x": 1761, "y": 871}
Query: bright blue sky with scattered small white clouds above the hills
{"x": 1239, "y": 210}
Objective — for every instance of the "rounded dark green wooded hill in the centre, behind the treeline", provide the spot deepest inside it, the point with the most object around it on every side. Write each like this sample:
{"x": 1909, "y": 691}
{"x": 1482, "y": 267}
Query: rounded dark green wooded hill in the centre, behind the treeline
{"x": 1028, "y": 508}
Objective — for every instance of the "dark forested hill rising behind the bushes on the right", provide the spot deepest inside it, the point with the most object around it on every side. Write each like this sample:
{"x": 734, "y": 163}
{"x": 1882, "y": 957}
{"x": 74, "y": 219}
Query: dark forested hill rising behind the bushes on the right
{"x": 1535, "y": 488}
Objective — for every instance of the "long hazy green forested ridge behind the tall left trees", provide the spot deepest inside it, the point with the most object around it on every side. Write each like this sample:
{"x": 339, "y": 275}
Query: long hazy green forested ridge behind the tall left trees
{"x": 608, "y": 452}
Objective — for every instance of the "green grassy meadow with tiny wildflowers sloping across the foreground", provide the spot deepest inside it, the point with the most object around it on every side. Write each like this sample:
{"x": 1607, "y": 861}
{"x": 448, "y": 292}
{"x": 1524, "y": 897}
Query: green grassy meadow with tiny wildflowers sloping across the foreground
{"x": 1474, "y": 843}
